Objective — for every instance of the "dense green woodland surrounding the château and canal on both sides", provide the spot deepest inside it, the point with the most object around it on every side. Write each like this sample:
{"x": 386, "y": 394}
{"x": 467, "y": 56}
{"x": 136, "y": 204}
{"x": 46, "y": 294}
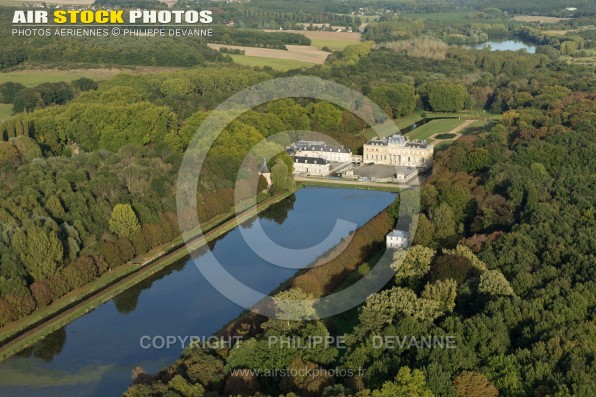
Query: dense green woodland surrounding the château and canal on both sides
{"x": 503, "y": 255}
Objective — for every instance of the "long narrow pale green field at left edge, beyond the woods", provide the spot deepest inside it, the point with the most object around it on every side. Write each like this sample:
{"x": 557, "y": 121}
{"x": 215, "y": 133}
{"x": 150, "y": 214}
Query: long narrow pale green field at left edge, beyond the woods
{"x": 33, "y": 77}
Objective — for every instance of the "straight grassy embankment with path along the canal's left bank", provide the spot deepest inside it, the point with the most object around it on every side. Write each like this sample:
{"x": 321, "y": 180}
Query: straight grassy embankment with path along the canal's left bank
{"x": 28, "y": 330}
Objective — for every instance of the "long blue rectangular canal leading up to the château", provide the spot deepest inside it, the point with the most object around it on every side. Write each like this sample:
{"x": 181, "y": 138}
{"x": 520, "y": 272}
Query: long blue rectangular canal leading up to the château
{"x": 94, "y": 355}
